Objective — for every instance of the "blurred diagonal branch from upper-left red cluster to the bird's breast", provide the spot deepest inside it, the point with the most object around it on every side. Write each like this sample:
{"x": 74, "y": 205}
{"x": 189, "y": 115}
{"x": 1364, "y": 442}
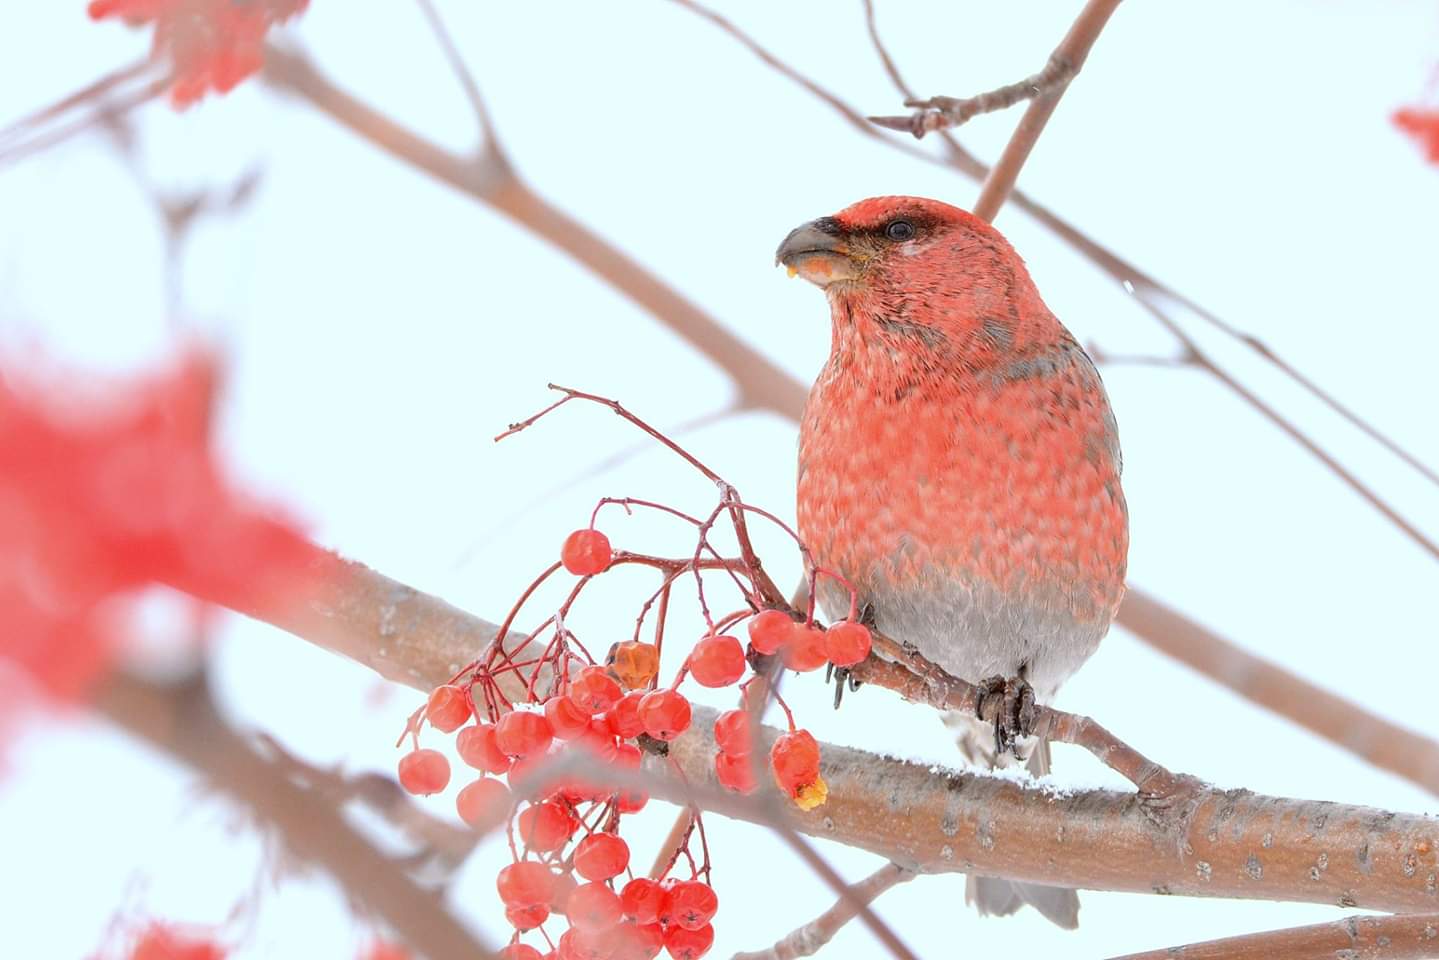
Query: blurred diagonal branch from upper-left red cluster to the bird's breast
{"x": 493, "y": 182}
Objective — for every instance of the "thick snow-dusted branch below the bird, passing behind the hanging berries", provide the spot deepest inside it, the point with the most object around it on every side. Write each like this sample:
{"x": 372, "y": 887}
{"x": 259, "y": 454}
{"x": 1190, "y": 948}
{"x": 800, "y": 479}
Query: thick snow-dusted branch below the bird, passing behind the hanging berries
{"x": 1218, "y": 844}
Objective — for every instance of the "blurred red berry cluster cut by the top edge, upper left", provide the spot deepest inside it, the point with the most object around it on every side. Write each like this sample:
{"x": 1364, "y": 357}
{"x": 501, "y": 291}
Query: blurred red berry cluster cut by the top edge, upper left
{"x": 212, "y": 45}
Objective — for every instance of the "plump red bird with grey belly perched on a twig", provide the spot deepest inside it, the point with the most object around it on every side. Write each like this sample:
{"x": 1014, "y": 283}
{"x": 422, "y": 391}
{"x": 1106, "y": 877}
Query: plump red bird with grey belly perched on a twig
{"x": 959, "y": 464}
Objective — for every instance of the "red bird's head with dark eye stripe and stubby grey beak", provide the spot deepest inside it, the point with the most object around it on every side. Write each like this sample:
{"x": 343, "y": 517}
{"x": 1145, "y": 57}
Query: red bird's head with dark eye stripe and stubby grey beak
{"x": 874, "y": 243}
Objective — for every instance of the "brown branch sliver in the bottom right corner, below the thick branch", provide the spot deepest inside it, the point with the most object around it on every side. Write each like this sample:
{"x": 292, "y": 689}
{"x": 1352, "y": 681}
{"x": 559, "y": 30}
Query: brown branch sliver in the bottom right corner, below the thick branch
{"x": 1404, "y": 938}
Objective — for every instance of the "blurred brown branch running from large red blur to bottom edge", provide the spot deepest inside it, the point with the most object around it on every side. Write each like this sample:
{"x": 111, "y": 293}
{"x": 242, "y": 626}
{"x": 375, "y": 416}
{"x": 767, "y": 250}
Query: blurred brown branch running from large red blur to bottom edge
{"x": 182, "y": 722}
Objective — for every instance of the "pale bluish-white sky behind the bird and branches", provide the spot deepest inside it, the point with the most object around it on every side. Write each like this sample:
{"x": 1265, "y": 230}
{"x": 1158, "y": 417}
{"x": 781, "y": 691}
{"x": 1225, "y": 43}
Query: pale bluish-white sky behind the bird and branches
{"x": 382, "y": 329}
